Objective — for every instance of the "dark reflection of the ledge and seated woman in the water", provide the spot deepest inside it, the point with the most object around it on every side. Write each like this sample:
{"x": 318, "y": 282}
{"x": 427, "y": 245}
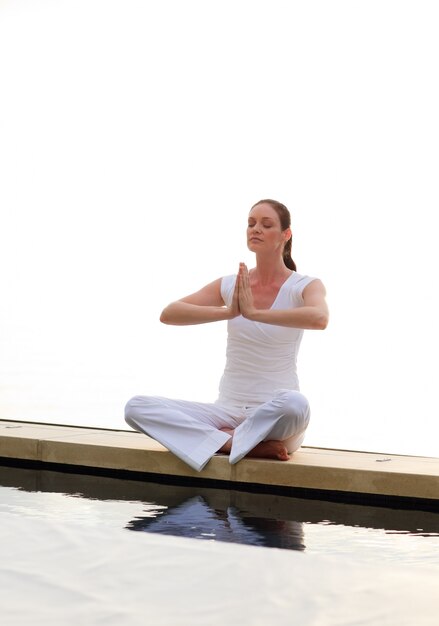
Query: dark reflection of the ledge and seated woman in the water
{"x": 220, "y": 514}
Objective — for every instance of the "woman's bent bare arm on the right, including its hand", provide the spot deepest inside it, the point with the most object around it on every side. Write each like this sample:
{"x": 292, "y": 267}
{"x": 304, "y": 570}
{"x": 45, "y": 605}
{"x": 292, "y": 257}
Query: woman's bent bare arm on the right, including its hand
{"x": 312, "y": 315}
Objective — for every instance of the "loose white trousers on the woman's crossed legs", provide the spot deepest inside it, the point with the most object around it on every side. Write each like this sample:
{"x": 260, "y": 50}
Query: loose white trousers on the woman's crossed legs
{"x": 191, "y": 429}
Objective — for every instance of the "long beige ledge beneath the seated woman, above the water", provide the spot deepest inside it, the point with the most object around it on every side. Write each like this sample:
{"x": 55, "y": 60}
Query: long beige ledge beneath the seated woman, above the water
{"x": 312, "y": 469}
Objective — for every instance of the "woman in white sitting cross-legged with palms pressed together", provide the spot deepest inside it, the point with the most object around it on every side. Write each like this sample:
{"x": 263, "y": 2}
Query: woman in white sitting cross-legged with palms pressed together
{"x": 260, "y": 411}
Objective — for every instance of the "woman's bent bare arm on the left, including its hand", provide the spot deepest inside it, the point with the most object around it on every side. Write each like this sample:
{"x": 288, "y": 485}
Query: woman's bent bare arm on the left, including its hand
{"x": 201, "y": 307}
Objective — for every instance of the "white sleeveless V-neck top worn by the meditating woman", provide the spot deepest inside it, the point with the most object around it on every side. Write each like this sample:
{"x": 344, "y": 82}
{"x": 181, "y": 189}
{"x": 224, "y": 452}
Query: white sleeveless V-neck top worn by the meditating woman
{"x": 261, "y": 358}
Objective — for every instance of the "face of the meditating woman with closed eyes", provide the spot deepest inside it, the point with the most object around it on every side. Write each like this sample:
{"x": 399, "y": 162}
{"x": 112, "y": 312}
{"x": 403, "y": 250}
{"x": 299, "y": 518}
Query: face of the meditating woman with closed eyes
{"x": 264, "y": 231}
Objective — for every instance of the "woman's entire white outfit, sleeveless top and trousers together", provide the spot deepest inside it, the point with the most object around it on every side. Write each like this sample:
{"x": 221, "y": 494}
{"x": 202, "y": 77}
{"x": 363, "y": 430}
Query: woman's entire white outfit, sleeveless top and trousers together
{"x": 259, "y": 392}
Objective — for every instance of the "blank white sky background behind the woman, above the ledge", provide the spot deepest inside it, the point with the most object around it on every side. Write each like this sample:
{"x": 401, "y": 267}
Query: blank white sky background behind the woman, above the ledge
{"x": 135, "y": 136}
